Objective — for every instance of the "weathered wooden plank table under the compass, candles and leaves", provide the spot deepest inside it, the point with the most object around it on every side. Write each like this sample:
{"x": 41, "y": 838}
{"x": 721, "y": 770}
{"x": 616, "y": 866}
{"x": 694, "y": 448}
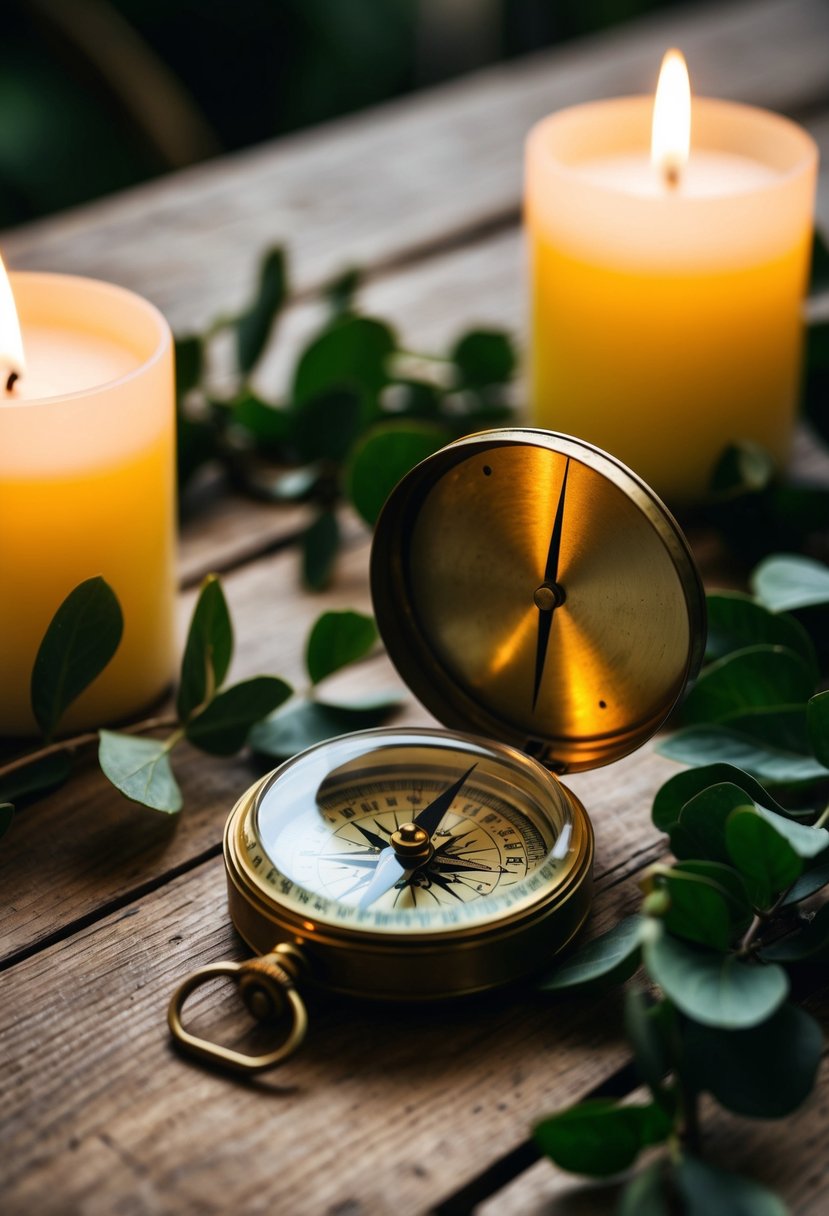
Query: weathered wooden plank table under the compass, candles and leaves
{"x": 106, "y": 908}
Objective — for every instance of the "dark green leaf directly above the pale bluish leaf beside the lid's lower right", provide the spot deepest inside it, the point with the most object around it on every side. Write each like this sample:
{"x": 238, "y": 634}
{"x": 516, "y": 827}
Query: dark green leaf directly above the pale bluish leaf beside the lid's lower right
{"x": 754, "y": 677}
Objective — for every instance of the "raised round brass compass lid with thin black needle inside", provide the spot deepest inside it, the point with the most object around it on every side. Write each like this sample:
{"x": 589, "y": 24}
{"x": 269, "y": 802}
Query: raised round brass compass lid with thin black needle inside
{"x": 532, "y": 589}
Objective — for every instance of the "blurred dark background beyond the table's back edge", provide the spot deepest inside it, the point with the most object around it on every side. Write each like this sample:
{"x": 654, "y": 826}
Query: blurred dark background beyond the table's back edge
{"x": 97, "y": 95}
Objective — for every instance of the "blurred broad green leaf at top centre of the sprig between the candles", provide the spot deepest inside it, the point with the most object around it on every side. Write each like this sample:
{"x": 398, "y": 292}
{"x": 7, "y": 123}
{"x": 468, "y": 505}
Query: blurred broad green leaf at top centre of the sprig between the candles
{"x": 352, "y": 352}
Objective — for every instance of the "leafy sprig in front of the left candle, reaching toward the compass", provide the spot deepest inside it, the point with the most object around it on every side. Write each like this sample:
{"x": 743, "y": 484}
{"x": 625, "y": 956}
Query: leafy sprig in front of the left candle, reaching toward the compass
{"x": 210, "y": 714}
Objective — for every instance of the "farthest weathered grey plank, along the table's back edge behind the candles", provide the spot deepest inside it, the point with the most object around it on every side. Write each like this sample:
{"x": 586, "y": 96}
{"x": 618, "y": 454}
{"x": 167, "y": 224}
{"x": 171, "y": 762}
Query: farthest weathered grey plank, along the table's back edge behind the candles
{"x": 382, "y": 187}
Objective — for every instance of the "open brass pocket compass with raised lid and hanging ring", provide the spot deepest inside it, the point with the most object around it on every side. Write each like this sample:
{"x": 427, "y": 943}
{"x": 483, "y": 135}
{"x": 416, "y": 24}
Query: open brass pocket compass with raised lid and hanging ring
{"x": 533, "y": 592}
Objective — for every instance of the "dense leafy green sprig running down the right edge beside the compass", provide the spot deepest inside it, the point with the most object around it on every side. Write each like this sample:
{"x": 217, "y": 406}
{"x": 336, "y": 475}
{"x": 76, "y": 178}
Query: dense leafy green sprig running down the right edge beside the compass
{"x": 726, "y": 924}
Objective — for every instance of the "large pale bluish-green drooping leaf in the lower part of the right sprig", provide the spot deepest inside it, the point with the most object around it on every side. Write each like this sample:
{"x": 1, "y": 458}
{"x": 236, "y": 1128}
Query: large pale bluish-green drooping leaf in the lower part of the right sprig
{"x": 717, "y": 990}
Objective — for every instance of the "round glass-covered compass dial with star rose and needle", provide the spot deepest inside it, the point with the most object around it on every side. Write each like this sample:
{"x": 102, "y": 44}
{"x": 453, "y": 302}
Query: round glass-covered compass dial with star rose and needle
{"x": 497, "y": 831}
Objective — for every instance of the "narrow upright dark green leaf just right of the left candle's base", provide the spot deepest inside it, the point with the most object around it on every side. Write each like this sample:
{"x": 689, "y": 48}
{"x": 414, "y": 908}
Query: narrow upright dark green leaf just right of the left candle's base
{"x": 208, "y": 650}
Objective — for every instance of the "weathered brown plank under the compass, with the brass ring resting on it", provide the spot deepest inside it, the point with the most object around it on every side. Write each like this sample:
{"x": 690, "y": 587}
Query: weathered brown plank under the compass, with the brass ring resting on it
{"x": 384, "y": 1106}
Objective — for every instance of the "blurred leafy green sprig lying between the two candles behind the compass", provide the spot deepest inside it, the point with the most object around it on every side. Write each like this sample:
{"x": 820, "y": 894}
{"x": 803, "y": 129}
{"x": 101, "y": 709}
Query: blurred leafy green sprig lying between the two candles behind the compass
{"x": 359, "y": 413}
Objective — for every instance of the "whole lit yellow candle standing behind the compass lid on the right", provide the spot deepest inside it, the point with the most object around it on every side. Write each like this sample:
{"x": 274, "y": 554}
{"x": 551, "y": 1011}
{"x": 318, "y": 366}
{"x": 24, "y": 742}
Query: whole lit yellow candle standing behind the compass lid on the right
{"x": 668, "y": 279}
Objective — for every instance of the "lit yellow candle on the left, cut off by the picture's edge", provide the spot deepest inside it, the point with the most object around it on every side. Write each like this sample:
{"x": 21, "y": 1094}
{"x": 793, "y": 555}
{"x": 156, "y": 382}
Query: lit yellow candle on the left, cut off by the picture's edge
{"x": 87, "y": 483}
